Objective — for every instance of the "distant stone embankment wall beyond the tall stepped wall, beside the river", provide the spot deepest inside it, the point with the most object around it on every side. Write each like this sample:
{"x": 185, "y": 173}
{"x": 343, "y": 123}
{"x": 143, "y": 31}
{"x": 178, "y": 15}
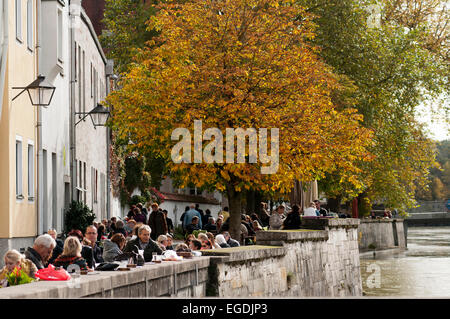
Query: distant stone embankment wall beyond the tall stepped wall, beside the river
{"x": 381, "y": 234}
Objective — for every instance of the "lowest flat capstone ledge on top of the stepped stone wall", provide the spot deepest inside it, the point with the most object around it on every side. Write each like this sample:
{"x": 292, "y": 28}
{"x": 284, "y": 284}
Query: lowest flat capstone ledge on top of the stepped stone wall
{"x": 245, "y": 253}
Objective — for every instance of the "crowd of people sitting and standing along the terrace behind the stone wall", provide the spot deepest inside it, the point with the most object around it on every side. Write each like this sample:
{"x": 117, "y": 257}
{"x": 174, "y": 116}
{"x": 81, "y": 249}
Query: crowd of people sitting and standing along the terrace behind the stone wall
{"x": 145, "y": 234}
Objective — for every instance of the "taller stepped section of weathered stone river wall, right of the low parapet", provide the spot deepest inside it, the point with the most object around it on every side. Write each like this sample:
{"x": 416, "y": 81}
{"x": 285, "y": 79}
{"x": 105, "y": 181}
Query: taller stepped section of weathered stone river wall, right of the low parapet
{"x": 305, "y": 263}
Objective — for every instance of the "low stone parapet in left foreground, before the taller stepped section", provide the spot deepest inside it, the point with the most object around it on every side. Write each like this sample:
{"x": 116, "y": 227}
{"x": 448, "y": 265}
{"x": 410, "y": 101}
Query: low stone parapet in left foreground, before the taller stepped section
{"x": 185, "y": 279}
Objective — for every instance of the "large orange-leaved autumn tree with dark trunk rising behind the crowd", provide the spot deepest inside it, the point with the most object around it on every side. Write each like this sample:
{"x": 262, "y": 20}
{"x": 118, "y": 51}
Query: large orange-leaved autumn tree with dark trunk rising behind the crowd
{"x": 238, "y": 64}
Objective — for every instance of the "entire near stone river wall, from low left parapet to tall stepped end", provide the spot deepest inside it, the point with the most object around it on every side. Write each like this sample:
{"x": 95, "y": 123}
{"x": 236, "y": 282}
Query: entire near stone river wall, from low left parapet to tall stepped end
{"x": 323, "y": 262}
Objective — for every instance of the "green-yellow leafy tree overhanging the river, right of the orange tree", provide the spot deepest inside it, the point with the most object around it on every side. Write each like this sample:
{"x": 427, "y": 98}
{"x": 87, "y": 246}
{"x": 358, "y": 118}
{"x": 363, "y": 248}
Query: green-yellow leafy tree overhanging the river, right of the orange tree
{"x": 389, "y": 71}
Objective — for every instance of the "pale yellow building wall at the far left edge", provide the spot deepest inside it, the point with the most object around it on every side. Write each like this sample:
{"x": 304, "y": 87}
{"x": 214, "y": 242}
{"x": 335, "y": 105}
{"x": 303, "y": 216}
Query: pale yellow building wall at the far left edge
{"x": 21, "y": 116}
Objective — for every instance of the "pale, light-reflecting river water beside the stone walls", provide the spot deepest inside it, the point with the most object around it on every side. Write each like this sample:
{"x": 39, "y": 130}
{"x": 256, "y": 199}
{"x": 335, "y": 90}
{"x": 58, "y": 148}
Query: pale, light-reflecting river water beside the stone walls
{"x": 423, "y": 270}
